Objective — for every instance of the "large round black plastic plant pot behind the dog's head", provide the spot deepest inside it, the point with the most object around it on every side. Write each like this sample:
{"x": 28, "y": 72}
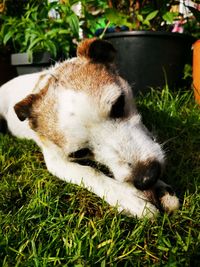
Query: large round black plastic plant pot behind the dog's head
{"x": 152, "y": 59}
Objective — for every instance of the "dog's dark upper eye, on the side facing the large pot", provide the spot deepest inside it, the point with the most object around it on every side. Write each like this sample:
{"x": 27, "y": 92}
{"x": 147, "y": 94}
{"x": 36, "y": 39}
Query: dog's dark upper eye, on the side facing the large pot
{"x": 117, "y": 110}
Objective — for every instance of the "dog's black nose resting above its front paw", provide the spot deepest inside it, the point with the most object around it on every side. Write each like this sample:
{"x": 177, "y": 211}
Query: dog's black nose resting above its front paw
{"x": 146, "y": 174}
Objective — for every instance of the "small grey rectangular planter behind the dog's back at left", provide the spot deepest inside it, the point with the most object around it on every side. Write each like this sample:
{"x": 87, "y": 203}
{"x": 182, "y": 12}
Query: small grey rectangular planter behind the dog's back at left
{"x": 29, "y": 63}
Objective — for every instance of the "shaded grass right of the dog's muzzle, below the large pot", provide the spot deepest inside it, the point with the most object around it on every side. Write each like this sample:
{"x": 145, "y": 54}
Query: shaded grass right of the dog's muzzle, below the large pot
{"x": 176, "y": 124}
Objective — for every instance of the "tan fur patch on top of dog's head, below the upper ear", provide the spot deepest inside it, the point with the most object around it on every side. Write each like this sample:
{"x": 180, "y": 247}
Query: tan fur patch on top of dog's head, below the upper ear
{"x": 86, "y": 76}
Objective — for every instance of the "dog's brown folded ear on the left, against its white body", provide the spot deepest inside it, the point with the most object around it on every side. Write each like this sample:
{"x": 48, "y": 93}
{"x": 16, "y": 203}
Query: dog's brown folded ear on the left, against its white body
{"x": 24, "y": 107}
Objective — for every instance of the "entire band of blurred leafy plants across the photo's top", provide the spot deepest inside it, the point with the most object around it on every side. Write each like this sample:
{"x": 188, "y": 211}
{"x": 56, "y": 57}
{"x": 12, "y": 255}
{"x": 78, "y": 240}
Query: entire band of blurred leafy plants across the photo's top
{"x": 56, "y": 26}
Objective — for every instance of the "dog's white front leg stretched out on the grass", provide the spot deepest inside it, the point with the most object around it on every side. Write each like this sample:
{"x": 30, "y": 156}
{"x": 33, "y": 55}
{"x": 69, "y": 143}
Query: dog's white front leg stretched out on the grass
{"x": 123, "y": 195}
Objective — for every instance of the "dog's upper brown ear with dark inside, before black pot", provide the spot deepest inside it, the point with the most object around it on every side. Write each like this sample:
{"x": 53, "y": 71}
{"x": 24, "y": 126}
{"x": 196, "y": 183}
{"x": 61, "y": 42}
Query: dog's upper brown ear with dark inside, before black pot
{"x": 97, "y": 50}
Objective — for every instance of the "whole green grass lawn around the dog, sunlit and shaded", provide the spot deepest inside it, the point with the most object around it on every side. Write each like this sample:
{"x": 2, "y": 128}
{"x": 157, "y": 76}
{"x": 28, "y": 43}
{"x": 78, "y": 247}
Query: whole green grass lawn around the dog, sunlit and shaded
{"x": 46, "y": 222}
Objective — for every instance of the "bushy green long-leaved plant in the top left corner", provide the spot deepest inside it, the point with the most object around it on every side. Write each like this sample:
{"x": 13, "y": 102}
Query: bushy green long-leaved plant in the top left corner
{"x": 34, "y": 30}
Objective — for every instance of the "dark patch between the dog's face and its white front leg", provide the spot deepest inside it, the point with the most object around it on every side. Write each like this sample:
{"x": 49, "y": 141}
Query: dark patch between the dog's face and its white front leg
{"x": 85, "y": 157}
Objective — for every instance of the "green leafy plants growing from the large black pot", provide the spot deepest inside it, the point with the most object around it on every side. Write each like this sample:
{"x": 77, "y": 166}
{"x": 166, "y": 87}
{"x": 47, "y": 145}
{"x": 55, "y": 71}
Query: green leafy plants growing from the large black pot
{"x": 145, "y": 15}
